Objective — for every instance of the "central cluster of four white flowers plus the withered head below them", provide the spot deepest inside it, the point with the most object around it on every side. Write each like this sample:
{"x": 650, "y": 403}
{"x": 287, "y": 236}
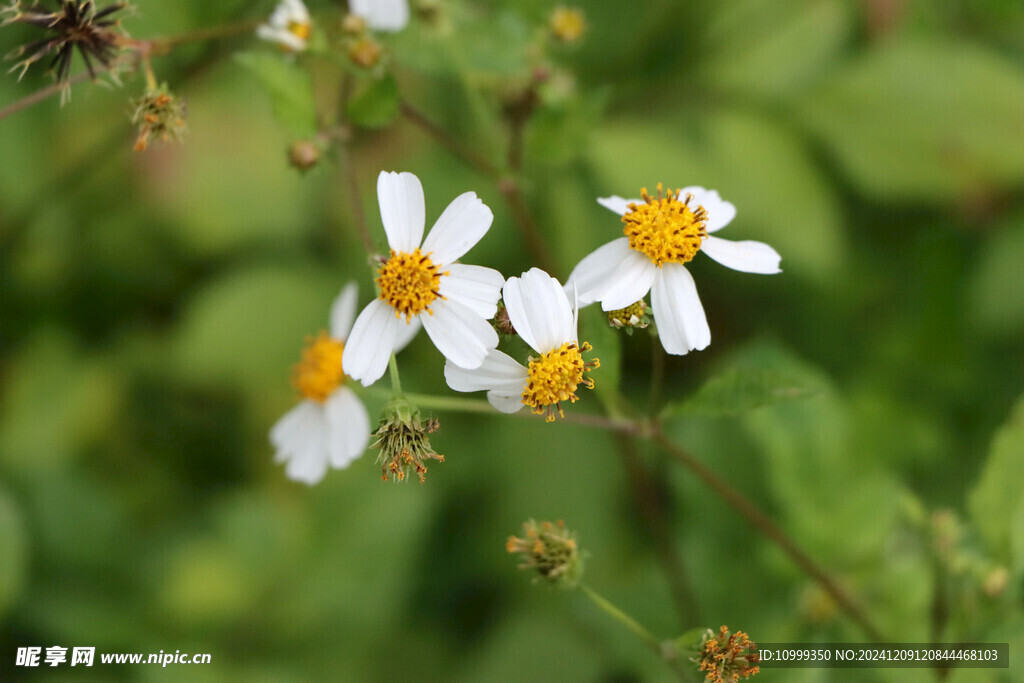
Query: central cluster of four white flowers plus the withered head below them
{"x": 421, "y": 282}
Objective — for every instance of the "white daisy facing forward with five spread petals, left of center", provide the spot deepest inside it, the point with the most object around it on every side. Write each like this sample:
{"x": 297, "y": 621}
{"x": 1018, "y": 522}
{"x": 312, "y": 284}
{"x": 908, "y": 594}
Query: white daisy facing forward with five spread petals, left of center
{"x": 423, "y": 278}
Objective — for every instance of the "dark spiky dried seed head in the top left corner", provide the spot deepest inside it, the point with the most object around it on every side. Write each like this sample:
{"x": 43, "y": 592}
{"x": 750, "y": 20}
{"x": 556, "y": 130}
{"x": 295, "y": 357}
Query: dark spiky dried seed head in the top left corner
{"x": 74, "y": 25}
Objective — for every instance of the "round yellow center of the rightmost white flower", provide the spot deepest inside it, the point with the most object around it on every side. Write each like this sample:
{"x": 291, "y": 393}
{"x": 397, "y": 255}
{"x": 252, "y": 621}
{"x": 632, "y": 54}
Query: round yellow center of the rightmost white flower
{"x": 666, "y": 230}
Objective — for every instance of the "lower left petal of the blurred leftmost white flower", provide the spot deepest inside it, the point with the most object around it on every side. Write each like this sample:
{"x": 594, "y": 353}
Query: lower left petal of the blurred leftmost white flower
{"x": 301, "y": 441}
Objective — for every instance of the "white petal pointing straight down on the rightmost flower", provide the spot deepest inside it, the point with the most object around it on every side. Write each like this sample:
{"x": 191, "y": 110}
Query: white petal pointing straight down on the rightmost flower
{"x": 681, "y": 321}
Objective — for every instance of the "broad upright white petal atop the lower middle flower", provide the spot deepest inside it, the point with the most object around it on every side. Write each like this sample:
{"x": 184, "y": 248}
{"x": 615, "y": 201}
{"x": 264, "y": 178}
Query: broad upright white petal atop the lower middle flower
{"x": 539, "y": 307}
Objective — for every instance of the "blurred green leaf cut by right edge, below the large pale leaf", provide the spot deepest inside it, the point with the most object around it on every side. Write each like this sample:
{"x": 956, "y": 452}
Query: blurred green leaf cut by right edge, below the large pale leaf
{"x": 996, "y": 293}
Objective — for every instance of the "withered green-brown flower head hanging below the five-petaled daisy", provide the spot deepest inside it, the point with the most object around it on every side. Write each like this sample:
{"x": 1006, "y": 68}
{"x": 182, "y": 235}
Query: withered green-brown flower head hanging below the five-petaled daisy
{"x": 404, "y": 444}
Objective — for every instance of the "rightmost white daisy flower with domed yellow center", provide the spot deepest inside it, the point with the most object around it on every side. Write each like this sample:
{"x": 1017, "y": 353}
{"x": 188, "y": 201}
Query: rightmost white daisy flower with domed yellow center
{"x": 662, "y": 235}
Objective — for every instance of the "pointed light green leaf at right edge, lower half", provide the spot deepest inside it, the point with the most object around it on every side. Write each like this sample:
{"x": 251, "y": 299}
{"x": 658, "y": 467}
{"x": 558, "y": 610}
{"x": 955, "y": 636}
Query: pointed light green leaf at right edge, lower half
{"x": 999, "y": 495}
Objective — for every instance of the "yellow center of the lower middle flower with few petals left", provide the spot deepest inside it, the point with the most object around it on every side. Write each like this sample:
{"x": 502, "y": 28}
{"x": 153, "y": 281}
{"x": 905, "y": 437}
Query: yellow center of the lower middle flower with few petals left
{"x": 554, "y": 378}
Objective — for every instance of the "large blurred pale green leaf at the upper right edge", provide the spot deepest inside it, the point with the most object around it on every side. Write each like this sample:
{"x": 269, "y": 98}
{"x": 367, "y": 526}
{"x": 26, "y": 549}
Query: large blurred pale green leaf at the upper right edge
{"x": 932, "y": 120}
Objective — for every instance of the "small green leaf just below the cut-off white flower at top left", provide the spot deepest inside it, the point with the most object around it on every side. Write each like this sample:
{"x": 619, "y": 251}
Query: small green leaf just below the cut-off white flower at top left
{"x": 290, "y": 89}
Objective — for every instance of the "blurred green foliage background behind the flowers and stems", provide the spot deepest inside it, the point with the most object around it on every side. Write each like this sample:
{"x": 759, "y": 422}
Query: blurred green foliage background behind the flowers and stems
{"x": 152, "y": 307}
